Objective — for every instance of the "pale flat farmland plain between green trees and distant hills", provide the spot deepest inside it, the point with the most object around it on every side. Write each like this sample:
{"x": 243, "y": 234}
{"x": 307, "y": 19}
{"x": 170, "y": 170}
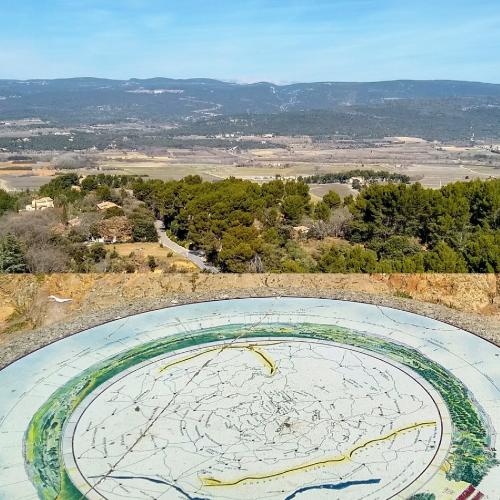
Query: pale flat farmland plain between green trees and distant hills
{"x": 430, "y": 163}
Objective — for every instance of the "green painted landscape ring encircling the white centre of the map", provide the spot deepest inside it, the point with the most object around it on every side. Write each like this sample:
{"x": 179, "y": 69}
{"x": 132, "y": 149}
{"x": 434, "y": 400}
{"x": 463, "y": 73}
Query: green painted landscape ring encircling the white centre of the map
{"x": 470, "y": 457}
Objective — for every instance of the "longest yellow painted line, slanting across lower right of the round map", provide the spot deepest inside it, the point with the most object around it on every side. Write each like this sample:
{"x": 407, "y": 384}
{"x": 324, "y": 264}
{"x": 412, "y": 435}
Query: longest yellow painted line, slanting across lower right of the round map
{"x": 209, "y": 481}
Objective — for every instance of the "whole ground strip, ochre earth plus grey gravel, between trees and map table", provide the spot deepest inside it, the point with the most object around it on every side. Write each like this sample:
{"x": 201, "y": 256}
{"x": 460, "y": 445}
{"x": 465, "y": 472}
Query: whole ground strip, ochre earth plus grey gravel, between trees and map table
{"x": 28, "y": 318}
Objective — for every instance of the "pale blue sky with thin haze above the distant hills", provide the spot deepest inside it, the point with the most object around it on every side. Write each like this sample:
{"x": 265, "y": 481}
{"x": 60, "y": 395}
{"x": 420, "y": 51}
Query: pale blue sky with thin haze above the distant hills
{"x": 252, "y": 40}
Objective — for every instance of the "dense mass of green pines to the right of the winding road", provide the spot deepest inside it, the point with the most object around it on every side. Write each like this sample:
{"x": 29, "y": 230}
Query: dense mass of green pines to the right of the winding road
{"x": 389, "y": 227}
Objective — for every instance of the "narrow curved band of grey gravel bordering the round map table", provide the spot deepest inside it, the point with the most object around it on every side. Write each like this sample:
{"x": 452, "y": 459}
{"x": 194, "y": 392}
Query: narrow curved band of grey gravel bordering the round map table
{"x": 16, "y": 345}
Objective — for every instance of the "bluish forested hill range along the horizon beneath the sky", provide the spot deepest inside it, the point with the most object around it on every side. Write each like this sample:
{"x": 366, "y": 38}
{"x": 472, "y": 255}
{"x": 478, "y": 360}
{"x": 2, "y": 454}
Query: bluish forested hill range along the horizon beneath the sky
{"x": 345, "y": 107}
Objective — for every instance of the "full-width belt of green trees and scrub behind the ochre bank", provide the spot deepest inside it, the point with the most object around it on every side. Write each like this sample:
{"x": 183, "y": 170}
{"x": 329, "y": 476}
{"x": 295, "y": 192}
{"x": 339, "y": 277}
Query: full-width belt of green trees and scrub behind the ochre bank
{"x": 242, "y": 226}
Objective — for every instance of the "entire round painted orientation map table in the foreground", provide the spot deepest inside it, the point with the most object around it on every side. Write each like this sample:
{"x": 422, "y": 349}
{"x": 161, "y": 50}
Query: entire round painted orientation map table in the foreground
{"x": 255, "y": 398}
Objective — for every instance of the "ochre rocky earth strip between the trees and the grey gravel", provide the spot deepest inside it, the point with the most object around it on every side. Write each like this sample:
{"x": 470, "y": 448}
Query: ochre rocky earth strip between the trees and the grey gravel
{"x": 25, "y": 301}
